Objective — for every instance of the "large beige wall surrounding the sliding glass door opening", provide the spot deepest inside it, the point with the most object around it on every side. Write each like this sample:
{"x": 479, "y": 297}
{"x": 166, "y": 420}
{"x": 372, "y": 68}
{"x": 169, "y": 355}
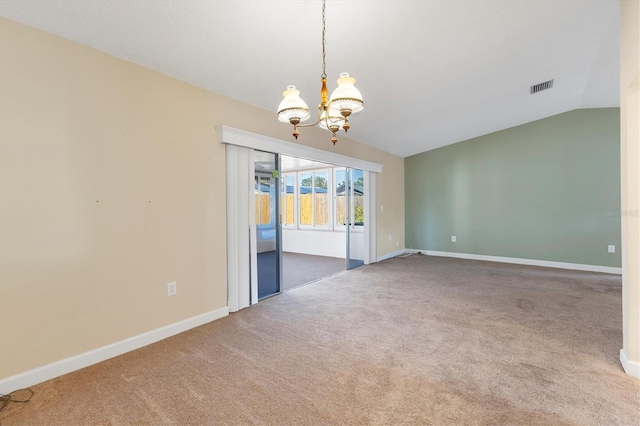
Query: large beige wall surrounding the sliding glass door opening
{"x": 111, "y": 185}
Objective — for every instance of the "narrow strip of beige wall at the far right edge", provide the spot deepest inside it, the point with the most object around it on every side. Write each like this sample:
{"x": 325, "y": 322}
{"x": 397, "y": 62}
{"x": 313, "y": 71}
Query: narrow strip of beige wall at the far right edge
{"x": 630, "y": 159}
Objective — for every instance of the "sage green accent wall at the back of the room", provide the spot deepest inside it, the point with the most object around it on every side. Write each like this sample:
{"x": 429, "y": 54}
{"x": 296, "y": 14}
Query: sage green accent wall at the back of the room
{"x": 546, "y": 190}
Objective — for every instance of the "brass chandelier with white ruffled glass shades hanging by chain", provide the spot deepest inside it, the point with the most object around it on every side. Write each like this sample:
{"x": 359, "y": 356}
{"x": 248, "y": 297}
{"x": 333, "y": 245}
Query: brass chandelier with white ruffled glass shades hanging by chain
{"x": 333, "y": 112}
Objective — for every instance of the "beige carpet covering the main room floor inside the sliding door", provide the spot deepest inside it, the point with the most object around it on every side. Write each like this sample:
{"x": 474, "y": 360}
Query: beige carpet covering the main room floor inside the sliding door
{"x": 417, "y": 340}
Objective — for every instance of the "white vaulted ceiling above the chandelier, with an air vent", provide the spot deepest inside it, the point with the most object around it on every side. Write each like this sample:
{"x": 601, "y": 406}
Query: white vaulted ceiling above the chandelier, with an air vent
{"x": 432, "y": 73}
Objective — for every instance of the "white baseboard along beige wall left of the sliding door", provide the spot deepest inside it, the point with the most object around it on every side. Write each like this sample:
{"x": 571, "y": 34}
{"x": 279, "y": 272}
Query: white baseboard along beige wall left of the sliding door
{"x": 76, "y": 362}
